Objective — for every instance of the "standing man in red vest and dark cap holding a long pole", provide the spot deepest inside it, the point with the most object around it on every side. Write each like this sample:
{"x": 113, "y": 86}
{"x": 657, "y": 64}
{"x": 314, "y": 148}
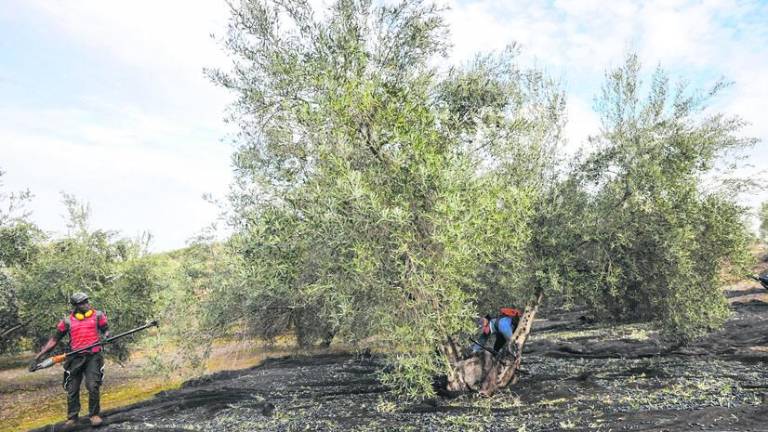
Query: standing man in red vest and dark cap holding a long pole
{"x": 84, "y": 326}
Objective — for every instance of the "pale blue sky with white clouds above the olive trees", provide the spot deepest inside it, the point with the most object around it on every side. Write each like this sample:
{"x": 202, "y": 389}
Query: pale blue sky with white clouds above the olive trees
{"x": 107, "y": 100}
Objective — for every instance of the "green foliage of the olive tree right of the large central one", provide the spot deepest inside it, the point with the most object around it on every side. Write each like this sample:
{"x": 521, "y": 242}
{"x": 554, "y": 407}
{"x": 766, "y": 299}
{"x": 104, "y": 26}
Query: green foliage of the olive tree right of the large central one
{"x": 631, "y": 231}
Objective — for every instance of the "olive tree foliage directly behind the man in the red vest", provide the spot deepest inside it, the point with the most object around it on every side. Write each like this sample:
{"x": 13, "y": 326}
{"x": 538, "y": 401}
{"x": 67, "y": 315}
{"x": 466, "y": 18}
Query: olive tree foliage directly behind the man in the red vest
{"x": 115, "y": 273}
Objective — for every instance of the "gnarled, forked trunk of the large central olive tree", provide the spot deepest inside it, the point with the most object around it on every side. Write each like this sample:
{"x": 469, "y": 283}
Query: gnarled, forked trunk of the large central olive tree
{"x": 484, "y": 372}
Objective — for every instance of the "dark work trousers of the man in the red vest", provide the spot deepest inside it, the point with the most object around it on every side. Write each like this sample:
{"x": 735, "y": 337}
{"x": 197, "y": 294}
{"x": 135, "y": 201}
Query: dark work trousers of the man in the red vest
{"x": 90, "y": 366}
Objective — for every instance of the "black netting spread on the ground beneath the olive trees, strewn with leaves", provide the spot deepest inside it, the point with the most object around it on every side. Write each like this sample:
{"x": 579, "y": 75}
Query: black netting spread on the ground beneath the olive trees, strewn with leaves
{"x": 576, "y": 375}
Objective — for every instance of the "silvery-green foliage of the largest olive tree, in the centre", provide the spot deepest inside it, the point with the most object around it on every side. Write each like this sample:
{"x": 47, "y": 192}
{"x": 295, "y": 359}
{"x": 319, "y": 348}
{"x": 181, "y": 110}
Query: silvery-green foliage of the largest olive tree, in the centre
{"x": 378, "y": 199}
